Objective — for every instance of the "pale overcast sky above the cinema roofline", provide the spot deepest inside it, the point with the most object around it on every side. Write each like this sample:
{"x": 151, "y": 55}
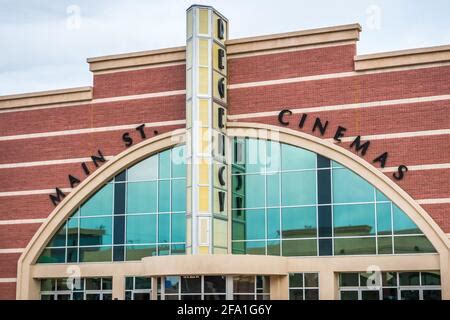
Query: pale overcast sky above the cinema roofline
{"x": 44, "y": 44}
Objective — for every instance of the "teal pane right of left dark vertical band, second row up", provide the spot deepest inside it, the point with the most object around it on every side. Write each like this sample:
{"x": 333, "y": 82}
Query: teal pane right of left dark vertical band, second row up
{"x": 141, "y": 229}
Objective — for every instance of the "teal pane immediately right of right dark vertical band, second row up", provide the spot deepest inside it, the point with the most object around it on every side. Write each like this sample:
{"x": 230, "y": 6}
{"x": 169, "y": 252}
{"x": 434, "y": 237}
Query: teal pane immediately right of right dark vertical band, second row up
{"x": 354, "y": 220}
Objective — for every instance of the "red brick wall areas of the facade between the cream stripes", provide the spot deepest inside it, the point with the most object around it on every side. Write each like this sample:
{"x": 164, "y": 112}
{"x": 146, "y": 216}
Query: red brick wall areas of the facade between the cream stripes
{"x": 421, "y": 184}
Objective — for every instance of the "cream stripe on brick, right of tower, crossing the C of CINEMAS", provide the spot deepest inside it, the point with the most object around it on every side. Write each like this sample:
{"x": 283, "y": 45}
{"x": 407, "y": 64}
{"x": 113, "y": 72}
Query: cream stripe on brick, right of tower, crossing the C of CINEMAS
{"x": 342, "y": 107}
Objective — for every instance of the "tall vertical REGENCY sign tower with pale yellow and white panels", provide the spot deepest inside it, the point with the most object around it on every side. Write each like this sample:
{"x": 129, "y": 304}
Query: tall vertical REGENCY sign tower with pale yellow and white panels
{"x": 206, "y": 113}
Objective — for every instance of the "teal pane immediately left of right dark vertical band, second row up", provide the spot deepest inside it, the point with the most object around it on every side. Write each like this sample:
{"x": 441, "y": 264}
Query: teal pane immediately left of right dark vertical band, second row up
{"x": 299, "y": 222}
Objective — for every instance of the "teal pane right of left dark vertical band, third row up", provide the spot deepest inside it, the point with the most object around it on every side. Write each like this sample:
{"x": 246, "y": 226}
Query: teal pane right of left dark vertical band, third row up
{"x": 141, "y": 197}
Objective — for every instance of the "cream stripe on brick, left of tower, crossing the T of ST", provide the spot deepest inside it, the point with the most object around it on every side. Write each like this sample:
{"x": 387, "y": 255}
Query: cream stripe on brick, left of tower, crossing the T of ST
{"x": 89, "y": 130}
